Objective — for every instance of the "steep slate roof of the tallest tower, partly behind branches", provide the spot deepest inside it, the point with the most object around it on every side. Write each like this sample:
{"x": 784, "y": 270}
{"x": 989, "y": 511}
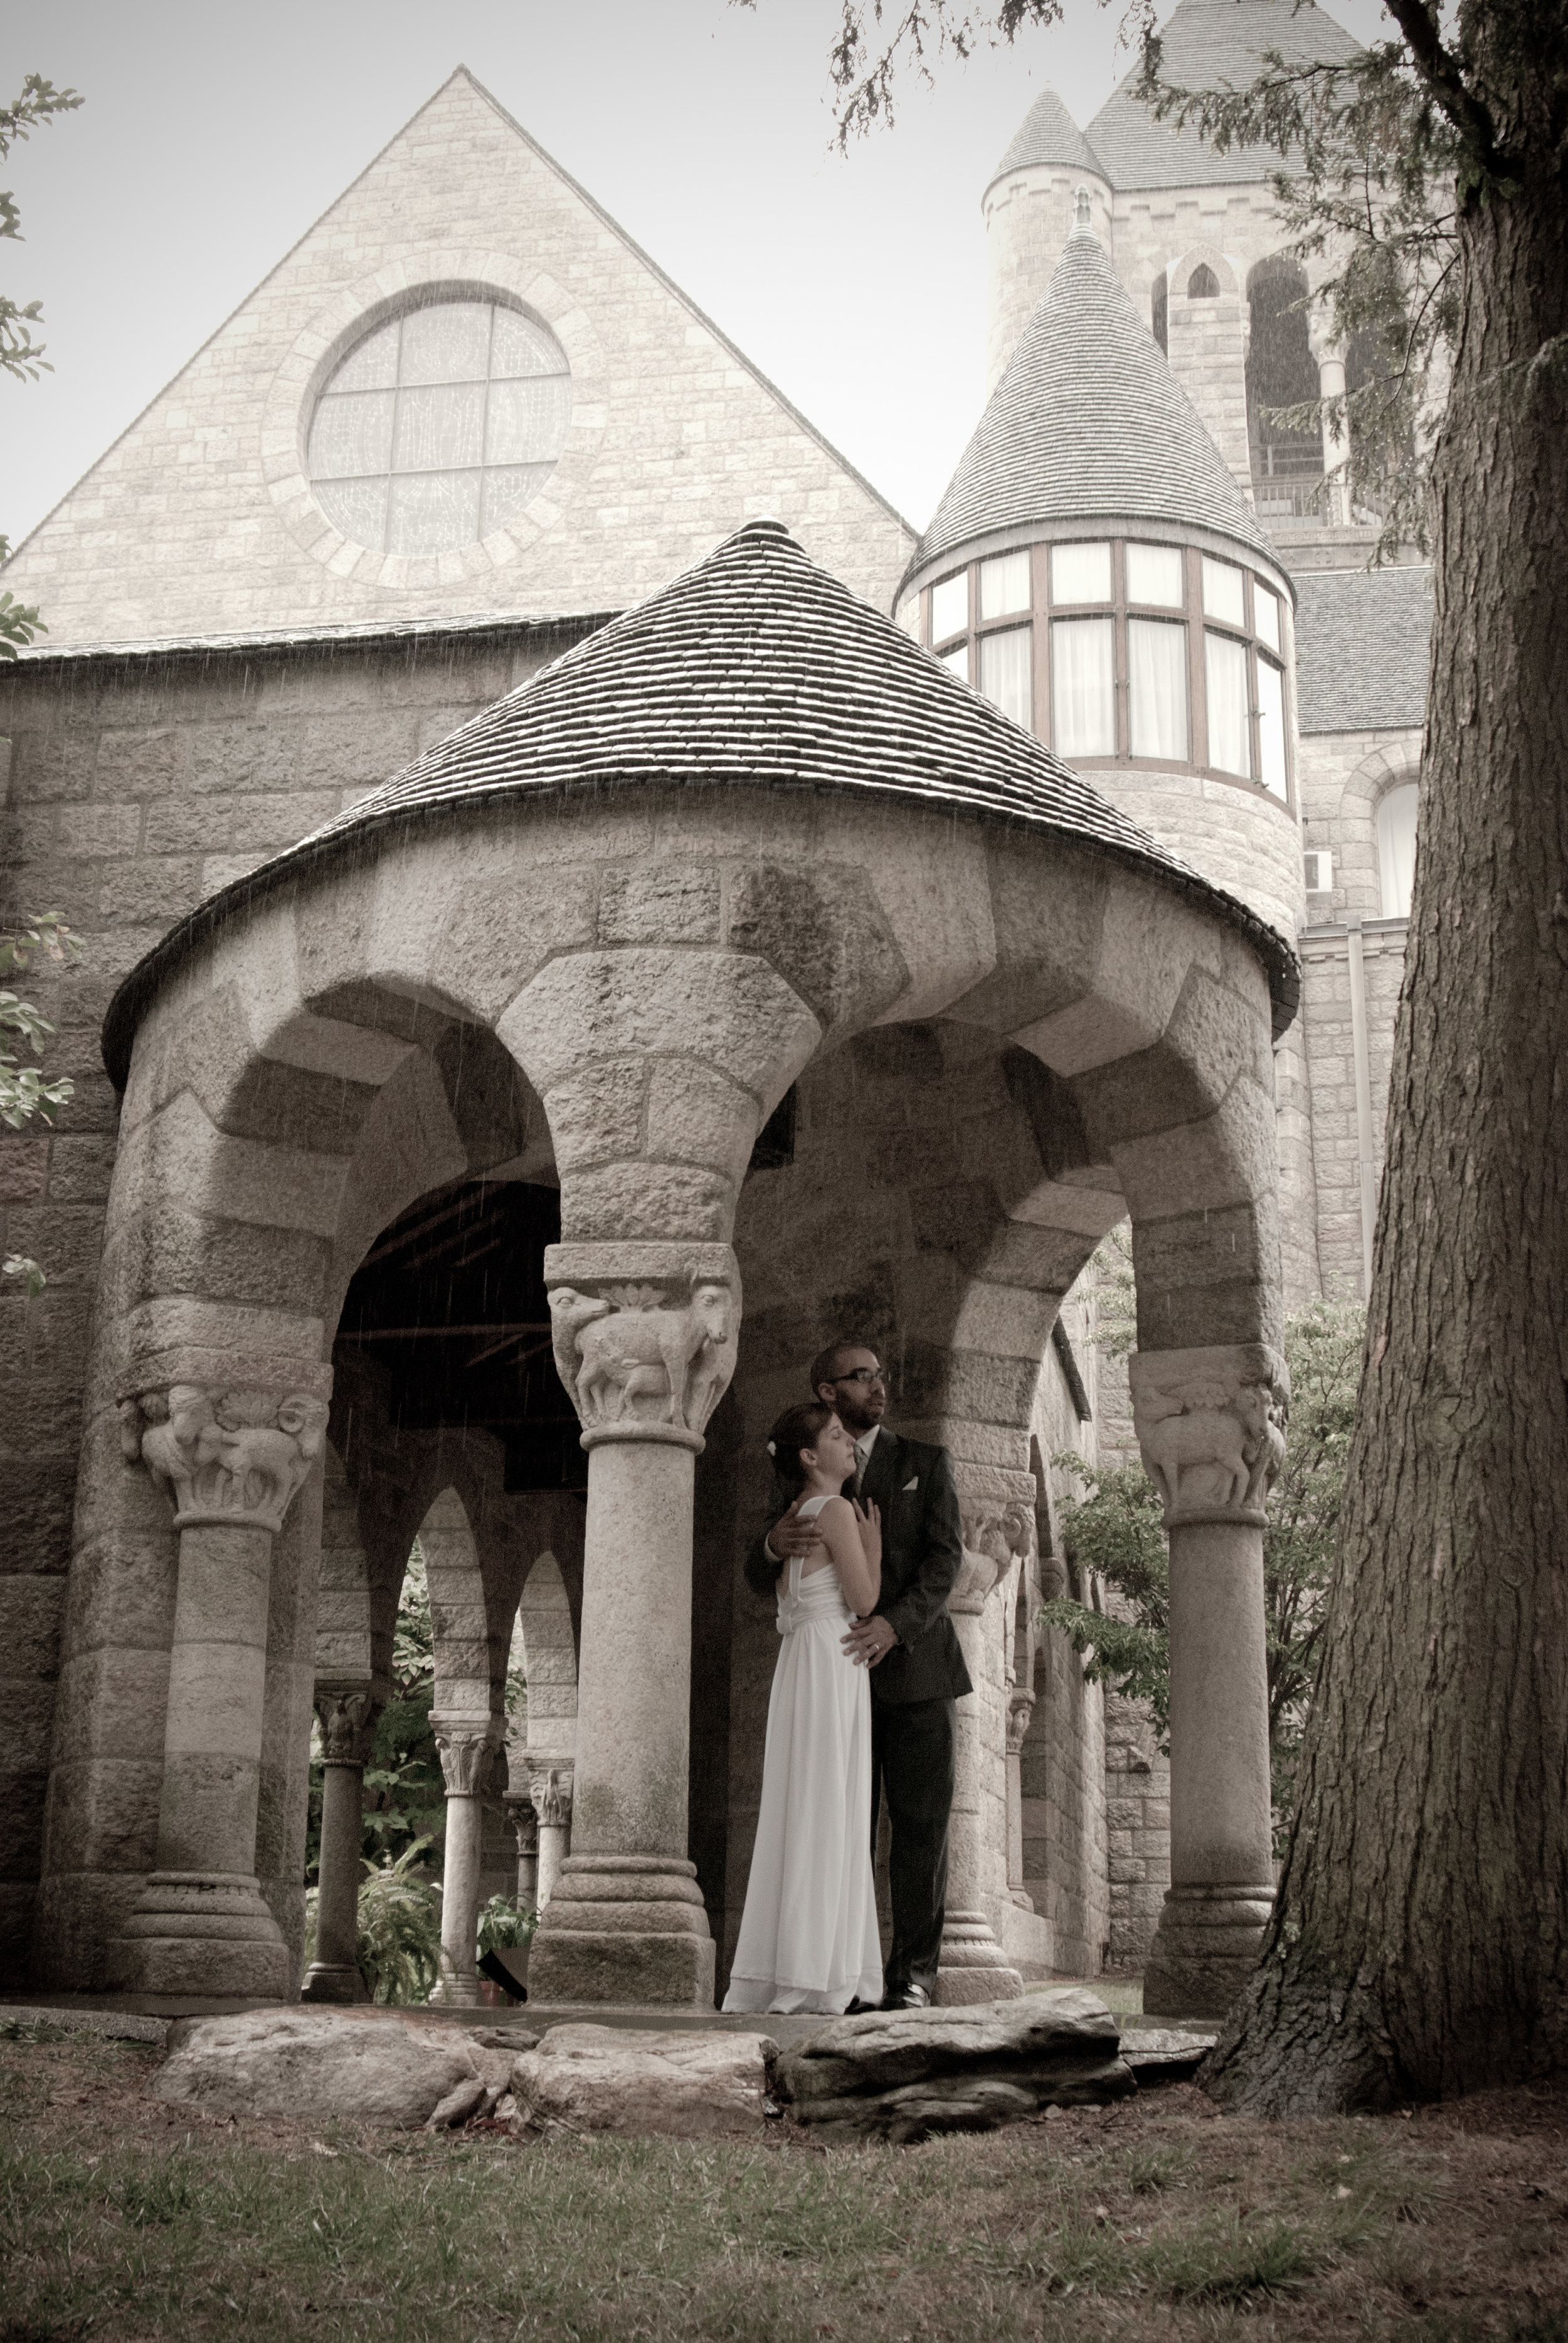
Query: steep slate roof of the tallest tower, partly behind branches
{"x": 1211, "y": 46}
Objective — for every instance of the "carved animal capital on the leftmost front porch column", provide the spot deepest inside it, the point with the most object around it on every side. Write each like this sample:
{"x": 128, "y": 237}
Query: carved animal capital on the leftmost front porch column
{"x": 226, "y": 1456}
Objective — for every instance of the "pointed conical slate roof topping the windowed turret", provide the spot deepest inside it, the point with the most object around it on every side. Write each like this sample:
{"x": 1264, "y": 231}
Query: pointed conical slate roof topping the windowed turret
{"x": 1089, "y": 423}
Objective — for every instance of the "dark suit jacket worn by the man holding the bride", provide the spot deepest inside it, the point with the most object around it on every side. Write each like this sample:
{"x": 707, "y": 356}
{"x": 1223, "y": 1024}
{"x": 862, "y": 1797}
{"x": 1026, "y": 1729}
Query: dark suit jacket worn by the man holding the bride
{"x": 922, "y": 1552}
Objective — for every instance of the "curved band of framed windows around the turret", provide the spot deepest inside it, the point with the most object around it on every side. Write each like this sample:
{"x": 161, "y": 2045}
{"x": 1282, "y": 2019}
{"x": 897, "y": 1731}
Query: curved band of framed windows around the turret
{"x": 1133, "y": 650}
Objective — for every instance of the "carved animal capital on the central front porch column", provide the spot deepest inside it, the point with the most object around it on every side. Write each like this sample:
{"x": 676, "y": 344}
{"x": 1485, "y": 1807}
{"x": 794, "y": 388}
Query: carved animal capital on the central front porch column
{"x": 646, "y": 1337}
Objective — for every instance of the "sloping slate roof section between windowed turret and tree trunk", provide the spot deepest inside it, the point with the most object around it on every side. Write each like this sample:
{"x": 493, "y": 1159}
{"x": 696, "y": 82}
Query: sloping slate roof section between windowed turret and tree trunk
{"x": 1363, "y": 645}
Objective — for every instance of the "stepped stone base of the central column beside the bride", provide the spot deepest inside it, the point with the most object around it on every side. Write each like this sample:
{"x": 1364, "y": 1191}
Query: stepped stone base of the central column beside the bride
{"x": 625, "y": 1929}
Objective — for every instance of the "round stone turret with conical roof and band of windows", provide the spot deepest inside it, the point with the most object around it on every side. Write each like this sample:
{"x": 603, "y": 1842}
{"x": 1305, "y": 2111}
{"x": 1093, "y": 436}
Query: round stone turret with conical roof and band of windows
{"x": 1098, "y": 573}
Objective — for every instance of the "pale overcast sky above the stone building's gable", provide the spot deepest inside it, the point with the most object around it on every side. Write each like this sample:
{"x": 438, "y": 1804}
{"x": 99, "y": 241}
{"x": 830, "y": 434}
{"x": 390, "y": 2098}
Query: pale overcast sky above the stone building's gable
{"x": 217, "y": 132}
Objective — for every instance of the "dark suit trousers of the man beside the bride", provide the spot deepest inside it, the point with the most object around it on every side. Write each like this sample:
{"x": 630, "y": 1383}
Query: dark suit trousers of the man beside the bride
{"x": 913, "y": 1770}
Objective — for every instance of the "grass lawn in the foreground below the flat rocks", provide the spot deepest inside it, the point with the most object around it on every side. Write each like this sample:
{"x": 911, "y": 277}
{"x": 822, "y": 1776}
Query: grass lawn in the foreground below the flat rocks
{"x": 130, "y": 2220}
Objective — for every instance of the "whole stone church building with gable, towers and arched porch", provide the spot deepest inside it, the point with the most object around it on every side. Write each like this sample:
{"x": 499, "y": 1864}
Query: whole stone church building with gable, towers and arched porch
{"x": 744, "y": 1027}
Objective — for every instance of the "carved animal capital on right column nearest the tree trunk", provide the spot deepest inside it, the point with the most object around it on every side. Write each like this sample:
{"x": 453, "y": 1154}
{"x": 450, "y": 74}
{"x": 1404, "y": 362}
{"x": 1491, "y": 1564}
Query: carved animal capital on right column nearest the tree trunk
{"x": 1211, "y": 1428}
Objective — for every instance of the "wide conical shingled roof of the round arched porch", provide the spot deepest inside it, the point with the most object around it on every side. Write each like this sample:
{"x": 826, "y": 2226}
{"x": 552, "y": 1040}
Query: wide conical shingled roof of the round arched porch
{"x": 754, "y": 669}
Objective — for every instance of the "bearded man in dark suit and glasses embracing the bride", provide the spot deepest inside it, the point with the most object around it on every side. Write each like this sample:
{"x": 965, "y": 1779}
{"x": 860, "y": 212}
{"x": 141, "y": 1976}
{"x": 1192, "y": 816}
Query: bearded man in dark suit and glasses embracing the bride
{"x": 908, "y": 1644}
